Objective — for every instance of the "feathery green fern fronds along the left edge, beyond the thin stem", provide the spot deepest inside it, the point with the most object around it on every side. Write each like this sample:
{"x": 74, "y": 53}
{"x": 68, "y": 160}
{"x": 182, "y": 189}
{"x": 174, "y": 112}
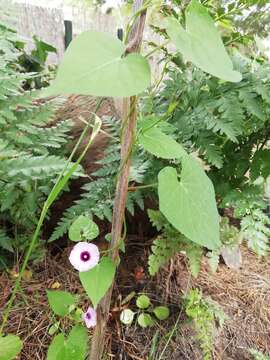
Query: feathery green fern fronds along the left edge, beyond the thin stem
{"x": 32, "y": 147}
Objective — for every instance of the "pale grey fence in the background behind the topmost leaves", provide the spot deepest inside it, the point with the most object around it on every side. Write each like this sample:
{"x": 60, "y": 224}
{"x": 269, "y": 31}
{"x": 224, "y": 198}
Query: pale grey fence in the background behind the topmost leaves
{"x": 48, "y": 25}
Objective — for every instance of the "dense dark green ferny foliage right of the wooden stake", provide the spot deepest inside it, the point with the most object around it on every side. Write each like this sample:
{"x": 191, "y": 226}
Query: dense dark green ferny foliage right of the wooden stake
{"x": 227, "y": 125}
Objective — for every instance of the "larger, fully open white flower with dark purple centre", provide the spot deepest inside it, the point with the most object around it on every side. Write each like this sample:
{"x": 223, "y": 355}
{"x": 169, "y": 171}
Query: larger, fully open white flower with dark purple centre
{"x": 84, "y": 256}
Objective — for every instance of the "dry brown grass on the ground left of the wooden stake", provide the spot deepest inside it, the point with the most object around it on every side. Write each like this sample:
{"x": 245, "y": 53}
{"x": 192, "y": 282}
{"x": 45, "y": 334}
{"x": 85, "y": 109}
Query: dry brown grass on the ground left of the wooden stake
{"x": 30, "y": 317}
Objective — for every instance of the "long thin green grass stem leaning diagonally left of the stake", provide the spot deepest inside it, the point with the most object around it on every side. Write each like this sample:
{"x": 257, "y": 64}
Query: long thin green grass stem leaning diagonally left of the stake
{"x": 59, "y": 185}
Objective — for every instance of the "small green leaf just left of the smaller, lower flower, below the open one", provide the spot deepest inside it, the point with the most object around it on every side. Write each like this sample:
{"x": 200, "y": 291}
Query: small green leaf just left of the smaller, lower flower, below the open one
{"x": 60, "y": 301}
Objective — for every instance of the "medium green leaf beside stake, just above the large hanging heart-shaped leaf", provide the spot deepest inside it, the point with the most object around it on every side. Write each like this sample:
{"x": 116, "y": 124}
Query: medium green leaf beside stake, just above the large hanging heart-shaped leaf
{"x": 160, "y": 144}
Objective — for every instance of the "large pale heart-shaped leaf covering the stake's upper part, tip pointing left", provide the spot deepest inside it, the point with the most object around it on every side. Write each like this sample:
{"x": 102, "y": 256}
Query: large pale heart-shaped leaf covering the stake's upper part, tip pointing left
{"x": 94, "y": 65}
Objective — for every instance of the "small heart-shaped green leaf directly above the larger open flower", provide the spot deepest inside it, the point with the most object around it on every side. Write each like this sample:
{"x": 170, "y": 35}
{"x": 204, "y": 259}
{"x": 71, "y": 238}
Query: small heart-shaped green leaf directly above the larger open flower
{"x": 83, "y": 228}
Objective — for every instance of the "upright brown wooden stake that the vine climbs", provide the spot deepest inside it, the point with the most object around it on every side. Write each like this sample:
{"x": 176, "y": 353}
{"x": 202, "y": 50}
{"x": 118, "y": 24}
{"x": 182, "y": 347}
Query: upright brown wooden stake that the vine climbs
{"x": 129, "y": 122}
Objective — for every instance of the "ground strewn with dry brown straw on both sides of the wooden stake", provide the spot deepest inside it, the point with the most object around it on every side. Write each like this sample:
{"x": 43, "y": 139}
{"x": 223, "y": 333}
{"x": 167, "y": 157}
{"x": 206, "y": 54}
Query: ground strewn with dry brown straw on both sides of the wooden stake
{"x": 244, "y": 296}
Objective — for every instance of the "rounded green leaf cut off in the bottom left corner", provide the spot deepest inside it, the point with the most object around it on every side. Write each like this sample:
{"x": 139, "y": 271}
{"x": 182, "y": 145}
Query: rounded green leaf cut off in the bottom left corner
{"x": 10, "y": 346}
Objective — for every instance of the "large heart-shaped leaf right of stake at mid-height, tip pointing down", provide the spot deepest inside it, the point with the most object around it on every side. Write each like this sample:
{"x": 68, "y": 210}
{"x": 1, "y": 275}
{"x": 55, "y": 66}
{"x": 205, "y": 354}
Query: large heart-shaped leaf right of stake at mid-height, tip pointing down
{"x": 189, "y": 203}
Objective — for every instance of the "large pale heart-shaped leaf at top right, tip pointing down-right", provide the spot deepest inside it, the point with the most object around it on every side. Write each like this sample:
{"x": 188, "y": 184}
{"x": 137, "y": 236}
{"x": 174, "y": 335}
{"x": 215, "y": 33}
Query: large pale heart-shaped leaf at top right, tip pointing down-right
{"x": 201, "y": 43}
